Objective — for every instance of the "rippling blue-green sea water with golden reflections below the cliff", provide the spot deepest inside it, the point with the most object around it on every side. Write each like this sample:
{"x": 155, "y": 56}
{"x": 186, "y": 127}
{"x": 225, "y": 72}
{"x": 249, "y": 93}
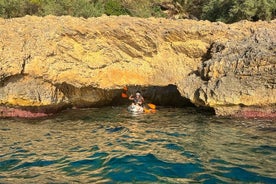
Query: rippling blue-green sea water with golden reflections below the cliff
{"x": 110, "y": 145}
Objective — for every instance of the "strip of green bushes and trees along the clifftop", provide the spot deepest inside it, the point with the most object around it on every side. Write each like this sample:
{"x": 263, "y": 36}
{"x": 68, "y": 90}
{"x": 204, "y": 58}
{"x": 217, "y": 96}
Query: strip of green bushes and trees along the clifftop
{"x": 227, "y": 11}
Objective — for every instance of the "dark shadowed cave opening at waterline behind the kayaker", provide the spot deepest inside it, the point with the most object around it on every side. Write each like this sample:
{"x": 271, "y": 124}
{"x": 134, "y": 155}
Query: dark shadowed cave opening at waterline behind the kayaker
{"x": 161, "y": 96}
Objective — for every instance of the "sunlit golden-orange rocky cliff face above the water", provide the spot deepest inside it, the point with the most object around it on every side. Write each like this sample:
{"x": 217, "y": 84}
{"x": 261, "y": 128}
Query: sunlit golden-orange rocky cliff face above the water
{"x": 49, "y": 63}
